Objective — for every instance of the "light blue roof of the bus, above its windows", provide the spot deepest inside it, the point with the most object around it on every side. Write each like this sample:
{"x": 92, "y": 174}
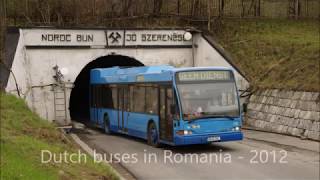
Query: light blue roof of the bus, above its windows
{"x": 142, "y": 74}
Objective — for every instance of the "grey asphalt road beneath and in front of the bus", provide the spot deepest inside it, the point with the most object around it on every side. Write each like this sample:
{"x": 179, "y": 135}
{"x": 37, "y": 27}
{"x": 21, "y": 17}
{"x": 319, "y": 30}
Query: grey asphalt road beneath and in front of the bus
{"x": 247, "y": 159}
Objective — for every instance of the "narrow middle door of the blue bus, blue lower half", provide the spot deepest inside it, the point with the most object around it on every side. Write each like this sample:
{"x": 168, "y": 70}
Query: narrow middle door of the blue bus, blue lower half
{"x": 123, "y": 106}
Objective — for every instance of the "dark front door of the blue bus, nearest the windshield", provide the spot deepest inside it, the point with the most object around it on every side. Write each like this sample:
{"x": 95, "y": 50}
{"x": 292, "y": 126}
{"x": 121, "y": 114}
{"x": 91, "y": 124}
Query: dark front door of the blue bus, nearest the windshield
{"x": 165, "y": 116}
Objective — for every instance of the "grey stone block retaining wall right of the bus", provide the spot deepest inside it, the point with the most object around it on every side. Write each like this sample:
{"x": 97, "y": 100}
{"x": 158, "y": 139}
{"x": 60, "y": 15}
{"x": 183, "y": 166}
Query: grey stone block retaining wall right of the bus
{"x": 287, "y": 112}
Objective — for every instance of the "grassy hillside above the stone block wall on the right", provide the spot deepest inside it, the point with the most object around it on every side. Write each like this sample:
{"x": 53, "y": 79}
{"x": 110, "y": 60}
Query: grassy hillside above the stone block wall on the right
{"x": 281, "y": 54}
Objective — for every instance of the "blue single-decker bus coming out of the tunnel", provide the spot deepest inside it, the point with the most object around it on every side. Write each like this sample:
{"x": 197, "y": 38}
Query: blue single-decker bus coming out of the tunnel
{"x": 167, "y": 105}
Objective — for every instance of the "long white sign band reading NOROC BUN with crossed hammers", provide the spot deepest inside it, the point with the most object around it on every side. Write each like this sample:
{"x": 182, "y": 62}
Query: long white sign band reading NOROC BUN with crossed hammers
{"x": 104, "y": 38}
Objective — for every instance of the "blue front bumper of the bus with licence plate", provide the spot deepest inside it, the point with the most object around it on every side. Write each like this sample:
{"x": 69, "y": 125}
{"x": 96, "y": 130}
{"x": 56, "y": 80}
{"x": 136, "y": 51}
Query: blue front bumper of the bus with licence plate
{"x": 208, "y": 138}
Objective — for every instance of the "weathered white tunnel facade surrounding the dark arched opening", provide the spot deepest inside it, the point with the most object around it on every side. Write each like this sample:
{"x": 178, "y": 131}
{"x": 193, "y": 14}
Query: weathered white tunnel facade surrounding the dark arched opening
{"x": 71, "y": 50}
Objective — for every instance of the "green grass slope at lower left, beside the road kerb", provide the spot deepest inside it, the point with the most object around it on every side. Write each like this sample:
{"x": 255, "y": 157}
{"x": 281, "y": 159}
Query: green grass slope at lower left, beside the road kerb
{"x": 24, "y": 135}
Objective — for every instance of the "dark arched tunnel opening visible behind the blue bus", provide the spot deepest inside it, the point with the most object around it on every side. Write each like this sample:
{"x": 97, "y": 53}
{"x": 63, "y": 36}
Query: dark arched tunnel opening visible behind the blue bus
{"x": 79, "y": 97}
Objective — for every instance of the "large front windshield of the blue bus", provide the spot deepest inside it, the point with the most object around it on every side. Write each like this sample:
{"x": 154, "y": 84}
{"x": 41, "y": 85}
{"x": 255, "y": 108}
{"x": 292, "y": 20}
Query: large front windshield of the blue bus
{"x": 208, "y": 99}
